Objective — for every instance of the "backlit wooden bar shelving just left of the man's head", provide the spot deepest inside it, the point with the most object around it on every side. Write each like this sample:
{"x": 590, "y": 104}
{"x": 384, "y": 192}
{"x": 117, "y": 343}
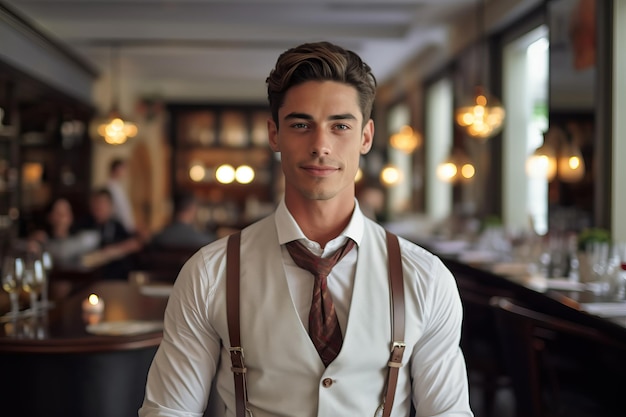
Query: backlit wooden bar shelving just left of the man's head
{"x": 221, "y": 152}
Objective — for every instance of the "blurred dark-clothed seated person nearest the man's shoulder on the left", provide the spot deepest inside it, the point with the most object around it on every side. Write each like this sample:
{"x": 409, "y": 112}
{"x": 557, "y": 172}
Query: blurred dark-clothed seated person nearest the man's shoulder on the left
{"x": 181, "y": 232}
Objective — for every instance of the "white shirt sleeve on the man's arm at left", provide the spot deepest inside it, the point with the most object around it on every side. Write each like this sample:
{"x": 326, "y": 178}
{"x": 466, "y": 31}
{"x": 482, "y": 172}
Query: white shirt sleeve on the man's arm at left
{"x": 180, "y": 377}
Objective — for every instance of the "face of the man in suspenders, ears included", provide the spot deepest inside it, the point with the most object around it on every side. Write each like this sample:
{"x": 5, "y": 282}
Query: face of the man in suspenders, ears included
{"x": 321, "y": 138}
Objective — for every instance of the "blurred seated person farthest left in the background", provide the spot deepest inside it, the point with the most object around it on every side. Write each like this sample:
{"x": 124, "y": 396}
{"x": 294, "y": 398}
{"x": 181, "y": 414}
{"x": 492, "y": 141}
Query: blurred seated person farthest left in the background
{"x": 59, "y": 235}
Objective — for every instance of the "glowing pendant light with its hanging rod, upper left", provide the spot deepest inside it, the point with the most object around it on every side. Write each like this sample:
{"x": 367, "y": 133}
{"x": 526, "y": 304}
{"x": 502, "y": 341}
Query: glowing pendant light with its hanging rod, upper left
{"x": 115, "y": 129}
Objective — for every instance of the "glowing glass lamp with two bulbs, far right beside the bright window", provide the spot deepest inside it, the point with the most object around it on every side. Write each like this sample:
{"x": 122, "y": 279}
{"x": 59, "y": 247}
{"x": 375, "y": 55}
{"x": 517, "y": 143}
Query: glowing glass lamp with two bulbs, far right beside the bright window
{"x": 557, "y": 155}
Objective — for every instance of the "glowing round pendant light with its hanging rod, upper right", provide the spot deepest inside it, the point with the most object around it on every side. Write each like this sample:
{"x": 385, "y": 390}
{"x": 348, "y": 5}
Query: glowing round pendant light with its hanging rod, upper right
{"x": 481, "y": 116}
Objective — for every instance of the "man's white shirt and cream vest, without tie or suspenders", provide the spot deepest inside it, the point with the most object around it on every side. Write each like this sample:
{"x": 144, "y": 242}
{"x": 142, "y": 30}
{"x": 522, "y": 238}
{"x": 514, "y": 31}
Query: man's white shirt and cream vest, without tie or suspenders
{"x": 285, "y": 375}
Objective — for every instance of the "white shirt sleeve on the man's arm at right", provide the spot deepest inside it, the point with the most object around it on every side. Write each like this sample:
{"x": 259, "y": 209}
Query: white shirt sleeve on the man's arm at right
{"x": 438, "y": 371}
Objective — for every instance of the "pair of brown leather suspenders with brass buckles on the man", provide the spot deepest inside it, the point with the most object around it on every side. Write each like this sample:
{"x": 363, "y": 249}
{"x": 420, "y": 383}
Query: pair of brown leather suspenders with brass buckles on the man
{"x": 238, "y": 367}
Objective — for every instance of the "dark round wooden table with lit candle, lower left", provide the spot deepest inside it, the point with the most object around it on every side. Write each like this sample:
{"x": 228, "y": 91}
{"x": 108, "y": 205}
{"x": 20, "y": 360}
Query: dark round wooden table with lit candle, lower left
{"x": 73, "y": 359}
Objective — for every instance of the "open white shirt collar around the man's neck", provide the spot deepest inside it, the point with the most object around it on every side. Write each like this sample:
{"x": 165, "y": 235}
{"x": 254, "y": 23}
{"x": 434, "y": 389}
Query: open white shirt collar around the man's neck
{"x": 288, "y": 229}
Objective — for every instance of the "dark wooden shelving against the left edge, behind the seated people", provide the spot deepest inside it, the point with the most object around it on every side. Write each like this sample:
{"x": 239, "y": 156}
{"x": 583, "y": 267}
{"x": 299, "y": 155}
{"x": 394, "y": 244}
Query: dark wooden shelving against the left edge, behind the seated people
{"x": 45, "y": 151}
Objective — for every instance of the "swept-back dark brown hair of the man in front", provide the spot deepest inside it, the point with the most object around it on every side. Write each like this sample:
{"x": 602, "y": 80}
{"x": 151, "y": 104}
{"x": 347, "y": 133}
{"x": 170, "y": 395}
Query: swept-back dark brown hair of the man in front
{"x": 321, "y": 61}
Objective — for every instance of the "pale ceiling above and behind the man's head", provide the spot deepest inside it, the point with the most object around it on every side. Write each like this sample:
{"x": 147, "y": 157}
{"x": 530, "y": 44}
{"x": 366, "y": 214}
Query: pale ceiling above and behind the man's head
{"x": 224, "y": 49}
